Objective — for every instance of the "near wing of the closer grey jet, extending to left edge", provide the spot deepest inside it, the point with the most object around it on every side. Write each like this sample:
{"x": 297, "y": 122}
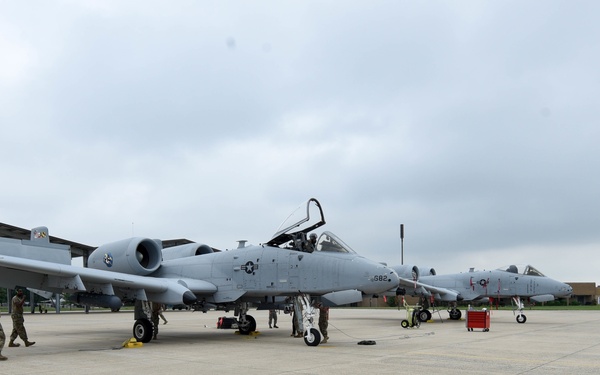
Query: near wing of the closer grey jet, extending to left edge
{"x": 61, "y": 277}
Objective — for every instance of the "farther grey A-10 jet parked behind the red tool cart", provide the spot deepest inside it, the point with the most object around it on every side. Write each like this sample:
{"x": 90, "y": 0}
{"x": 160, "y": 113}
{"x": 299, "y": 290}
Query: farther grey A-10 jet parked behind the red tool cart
{"x": 511, "y": 282}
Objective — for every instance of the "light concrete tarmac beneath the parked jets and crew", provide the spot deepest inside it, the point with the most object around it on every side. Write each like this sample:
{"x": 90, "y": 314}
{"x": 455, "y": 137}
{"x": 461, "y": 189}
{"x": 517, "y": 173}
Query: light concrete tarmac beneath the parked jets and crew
{"x": 550, "y": 342}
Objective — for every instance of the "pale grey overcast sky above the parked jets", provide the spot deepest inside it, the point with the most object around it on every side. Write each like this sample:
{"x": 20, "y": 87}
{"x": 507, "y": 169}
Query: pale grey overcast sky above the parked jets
{"x": 474, "y": 123}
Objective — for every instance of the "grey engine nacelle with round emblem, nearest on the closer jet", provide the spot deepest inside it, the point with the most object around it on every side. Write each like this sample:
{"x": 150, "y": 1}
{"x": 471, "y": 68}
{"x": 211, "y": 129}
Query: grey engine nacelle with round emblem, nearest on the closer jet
{"x": 134, "y": 256}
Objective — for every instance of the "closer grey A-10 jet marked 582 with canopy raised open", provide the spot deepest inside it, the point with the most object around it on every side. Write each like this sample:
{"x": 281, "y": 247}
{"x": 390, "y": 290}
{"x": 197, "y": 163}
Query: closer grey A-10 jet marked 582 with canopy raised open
{"x": 135, "y": 269}
